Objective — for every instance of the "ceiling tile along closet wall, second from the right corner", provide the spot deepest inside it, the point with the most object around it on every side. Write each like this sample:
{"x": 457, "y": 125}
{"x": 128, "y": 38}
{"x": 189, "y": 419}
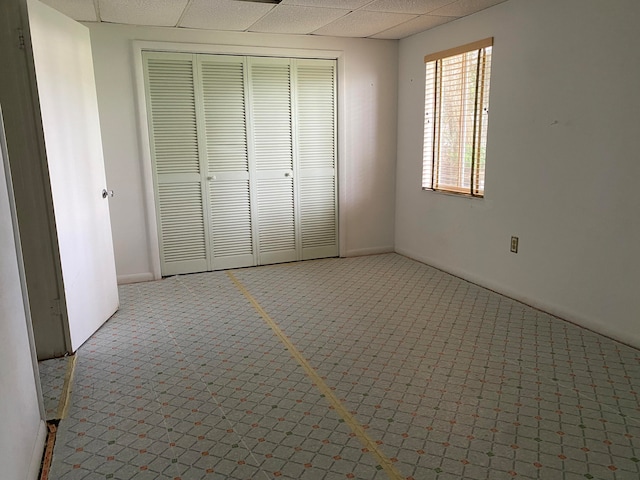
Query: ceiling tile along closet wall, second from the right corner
{"x": 363, "y": 24}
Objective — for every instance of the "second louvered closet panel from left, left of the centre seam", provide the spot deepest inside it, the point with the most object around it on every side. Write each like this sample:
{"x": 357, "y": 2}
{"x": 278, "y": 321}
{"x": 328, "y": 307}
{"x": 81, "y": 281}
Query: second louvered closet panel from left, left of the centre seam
{"x": 228, "y": 187}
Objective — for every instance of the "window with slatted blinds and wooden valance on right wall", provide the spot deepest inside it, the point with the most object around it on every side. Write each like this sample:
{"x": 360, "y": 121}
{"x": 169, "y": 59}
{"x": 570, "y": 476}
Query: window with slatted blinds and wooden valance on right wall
{"x": 455, "y": 121}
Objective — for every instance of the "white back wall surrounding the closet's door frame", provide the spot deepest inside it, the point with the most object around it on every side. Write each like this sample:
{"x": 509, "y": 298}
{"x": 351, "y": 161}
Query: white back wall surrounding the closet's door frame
{"x": 367, "y": 141}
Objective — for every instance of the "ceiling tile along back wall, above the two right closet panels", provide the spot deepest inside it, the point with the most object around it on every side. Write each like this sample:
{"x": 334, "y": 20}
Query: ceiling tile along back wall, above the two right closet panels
{"x": 296, "y": 19}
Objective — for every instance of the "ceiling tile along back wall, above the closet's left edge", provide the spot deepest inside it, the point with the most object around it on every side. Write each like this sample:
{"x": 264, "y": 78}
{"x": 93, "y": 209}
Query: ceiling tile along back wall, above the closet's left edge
{"x": 142, "y": 12}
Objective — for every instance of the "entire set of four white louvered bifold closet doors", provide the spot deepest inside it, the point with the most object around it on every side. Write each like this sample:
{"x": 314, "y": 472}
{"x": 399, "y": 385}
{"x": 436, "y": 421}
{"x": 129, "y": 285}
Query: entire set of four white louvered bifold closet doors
{"x": 244, "y": 159}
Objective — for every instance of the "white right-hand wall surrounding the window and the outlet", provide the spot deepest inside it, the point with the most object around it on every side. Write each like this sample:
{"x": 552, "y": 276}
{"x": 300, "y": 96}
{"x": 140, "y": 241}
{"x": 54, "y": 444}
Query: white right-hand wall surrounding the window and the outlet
{"x": 563, "y": 161}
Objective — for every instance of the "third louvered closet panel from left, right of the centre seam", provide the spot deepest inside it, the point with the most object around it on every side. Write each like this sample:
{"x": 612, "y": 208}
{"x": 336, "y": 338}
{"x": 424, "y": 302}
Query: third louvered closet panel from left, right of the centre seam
{"x": 273, "y": 163}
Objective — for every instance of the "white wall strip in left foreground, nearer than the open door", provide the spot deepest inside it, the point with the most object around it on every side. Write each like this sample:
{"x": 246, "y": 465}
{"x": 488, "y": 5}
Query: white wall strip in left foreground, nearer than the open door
{"x": 23, "y": 431}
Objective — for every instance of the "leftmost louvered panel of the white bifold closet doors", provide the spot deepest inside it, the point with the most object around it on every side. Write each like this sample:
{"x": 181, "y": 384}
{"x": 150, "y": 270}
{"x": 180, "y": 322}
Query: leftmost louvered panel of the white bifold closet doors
{"x": 171, "y": 105}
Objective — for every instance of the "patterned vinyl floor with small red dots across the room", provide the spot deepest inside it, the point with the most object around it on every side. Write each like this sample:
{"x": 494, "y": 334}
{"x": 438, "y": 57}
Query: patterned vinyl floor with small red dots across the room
{"x": 372, "y": 368}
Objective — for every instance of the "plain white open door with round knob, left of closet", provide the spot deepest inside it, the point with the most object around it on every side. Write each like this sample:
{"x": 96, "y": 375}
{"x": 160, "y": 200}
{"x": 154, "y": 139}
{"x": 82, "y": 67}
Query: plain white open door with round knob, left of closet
{"x": 69, "y": 109}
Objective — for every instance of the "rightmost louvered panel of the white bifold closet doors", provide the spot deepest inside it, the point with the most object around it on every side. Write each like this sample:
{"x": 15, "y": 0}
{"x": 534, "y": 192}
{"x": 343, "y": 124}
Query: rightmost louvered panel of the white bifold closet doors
{"x": 315, "y": 121}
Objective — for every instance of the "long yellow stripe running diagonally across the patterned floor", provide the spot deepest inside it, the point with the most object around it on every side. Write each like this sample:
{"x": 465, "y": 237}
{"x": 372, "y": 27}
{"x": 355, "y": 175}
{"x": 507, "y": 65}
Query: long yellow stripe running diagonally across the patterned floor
{"x": 349, "y": 419}
